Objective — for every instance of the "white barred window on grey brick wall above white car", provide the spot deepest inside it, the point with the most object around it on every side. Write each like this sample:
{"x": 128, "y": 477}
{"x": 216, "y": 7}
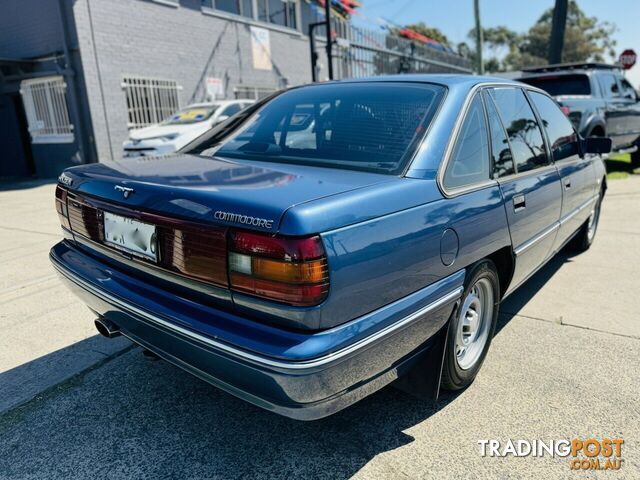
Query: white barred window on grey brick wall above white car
{"x": 150, "y": 100}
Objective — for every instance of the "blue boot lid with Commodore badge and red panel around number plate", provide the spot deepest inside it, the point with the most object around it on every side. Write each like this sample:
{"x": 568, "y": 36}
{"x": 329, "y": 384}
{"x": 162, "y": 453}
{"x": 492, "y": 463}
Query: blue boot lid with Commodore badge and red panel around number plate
{"x": 192, "y": 201}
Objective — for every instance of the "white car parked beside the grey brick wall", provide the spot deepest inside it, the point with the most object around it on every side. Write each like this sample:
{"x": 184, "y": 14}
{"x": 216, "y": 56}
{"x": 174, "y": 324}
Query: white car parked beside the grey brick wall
{"x": 180, "y": 128}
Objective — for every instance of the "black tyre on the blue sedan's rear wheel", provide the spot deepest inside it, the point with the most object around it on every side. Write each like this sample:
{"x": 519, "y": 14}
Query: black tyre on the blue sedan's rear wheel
{"x": 455, "y": 375}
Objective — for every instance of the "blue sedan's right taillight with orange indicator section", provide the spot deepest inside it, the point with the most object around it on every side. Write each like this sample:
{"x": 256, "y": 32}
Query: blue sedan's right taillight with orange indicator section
{"x": 284, "y": 269}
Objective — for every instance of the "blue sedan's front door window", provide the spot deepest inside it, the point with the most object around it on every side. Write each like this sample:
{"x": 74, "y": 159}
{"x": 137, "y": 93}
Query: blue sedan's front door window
{"x": 562, "y": 137}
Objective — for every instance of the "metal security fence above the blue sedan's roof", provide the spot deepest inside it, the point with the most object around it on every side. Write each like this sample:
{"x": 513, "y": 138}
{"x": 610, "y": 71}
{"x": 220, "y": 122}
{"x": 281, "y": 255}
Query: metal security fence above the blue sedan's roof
{"x": 362, "y": 52}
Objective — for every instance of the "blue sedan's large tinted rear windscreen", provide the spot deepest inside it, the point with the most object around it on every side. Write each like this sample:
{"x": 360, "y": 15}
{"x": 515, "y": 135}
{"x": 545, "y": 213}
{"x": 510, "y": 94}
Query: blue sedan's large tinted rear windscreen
{"x": 372, "y": 126}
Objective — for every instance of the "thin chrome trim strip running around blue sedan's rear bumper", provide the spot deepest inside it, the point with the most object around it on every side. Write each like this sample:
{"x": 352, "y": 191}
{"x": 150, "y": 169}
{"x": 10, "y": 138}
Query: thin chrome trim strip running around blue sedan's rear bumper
{"x": 245, "y": 355}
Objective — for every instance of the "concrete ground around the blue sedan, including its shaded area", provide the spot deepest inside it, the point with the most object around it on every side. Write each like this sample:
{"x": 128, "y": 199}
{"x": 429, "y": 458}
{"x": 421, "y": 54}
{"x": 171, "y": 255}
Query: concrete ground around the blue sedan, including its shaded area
{"x": 564, "y": 364}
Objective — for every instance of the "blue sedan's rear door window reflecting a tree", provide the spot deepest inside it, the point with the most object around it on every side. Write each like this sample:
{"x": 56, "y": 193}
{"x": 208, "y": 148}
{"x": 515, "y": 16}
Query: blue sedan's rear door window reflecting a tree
{"x": 525, "y": 137}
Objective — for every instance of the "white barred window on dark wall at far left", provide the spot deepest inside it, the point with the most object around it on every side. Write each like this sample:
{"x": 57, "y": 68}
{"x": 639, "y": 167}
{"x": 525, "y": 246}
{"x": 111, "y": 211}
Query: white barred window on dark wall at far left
{"x": 45, "y": 104}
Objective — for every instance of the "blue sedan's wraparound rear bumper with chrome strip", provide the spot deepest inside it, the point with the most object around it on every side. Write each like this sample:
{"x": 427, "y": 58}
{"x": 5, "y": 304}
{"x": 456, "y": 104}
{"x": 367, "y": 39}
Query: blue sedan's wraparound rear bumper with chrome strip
{"x": 300, "y": 375}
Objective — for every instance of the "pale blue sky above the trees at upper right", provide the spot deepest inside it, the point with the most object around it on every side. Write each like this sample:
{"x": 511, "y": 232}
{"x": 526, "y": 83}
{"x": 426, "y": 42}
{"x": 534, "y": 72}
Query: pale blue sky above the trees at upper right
{"x": 455, "y": 17}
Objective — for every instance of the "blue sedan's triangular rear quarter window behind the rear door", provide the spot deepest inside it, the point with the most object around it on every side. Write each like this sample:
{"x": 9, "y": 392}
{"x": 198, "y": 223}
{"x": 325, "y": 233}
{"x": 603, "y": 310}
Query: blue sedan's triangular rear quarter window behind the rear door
{"x": 469, "y": 162}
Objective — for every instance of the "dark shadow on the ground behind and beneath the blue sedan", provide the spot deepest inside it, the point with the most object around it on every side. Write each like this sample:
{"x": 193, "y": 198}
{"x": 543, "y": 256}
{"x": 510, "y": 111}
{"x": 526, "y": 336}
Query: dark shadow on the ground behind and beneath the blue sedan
{"x": 135, "y": 415}
